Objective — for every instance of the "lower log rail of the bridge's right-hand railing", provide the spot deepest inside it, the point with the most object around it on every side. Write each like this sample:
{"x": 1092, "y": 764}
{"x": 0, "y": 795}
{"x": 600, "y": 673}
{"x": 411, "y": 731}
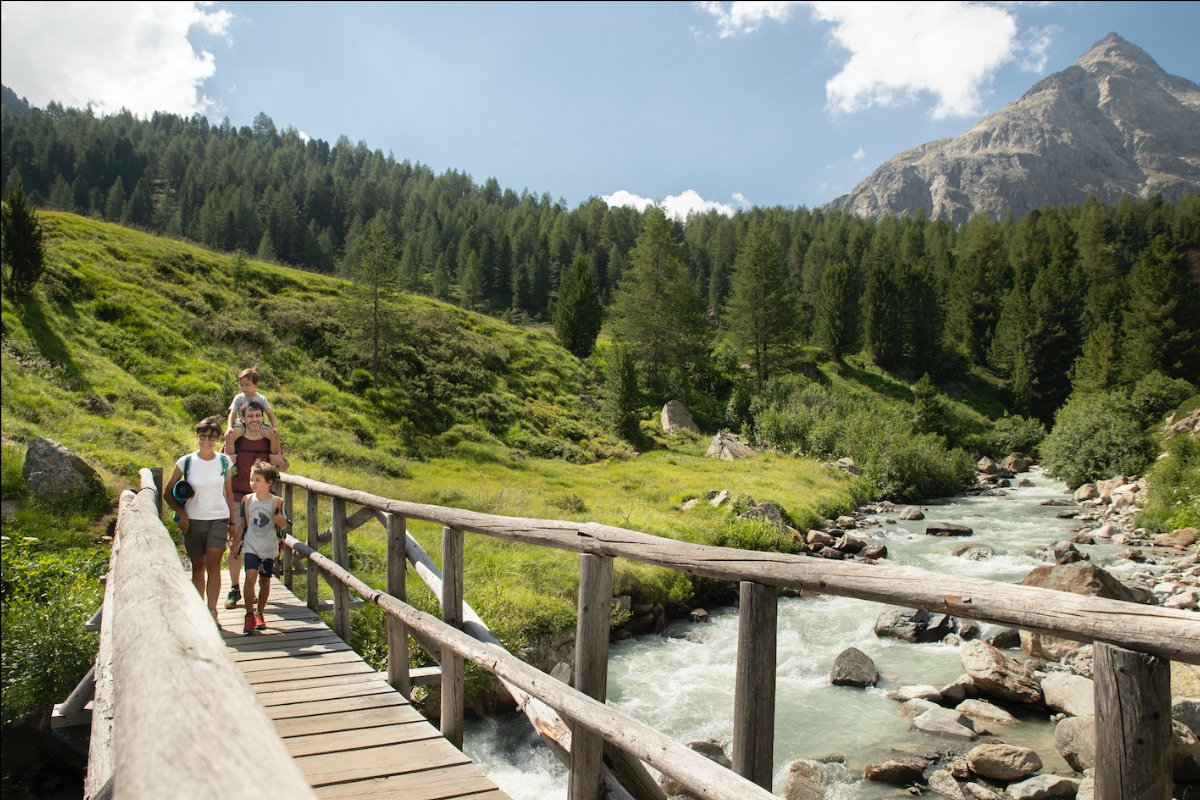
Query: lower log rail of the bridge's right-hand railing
{"x": 698, "y": 774}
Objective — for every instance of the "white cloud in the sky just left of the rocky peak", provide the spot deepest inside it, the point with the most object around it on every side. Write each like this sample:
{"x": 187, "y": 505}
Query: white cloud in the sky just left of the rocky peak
{"x": 902, "y": 51}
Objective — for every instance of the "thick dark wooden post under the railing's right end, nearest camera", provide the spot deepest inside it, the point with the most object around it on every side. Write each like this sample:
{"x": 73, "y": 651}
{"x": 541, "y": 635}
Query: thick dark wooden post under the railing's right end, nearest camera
{"x": 1135, "y": 745}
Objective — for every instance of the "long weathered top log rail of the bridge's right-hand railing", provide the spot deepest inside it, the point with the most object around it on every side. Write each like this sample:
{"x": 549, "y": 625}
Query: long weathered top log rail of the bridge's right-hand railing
{"x": 1166, "y": 633}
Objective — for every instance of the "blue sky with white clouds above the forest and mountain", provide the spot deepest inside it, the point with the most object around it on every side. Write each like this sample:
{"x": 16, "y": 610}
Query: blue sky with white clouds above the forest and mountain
{"x": 693, "y": 105}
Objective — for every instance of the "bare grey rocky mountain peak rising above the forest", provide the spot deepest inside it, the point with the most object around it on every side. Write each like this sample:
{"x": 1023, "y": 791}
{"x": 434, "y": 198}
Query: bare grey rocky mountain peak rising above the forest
{"x": 1112, "y": 124}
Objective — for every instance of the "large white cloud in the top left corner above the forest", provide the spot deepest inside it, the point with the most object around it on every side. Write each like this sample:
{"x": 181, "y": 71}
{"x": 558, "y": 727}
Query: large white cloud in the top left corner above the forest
{"x": 109, "y": 56}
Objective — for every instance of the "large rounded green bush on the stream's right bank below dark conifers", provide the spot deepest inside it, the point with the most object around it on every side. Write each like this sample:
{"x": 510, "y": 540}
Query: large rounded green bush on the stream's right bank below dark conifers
{"x": 1096, "y": 437}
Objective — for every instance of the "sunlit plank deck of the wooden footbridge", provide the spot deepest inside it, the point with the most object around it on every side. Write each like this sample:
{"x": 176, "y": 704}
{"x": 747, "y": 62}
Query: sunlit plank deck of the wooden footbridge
{"x": 350, "y": 732}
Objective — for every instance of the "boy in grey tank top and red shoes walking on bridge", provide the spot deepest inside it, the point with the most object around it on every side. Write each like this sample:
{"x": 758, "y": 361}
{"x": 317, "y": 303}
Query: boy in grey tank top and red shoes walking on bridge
{"x": 262, "y": 525}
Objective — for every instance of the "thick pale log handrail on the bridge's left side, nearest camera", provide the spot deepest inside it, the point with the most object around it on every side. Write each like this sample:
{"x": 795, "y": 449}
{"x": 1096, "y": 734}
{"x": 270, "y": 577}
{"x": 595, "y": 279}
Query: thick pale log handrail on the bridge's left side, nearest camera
{"x": 182, "y": 711}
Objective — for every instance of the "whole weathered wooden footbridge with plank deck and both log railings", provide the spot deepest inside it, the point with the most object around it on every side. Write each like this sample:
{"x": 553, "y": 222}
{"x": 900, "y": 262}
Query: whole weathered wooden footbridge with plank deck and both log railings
{"x": 181, "y": 708}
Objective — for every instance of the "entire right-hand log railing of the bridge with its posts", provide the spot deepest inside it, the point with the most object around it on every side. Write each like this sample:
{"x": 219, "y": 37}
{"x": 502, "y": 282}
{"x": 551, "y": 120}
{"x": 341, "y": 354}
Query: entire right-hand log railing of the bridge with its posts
{"x": 1133, "y": 643}
